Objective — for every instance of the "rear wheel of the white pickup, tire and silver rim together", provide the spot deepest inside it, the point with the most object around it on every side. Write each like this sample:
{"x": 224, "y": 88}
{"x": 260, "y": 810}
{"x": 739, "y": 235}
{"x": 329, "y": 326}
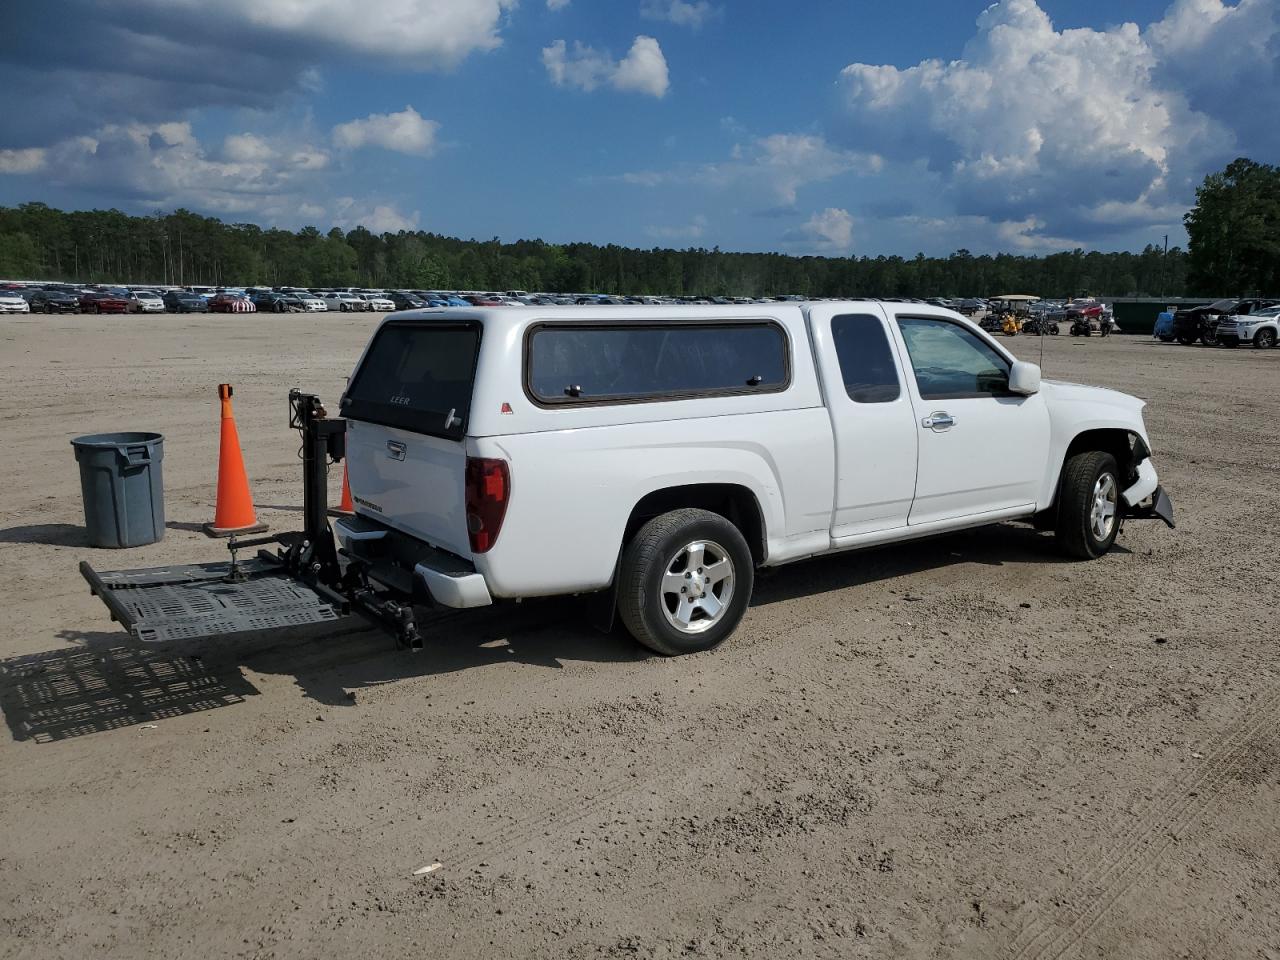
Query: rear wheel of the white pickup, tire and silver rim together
{"x": 685, "y": 582}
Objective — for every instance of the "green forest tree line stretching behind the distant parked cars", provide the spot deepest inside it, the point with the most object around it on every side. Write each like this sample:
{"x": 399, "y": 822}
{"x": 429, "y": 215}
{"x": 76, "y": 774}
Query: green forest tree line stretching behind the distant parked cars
{"x": 1235, "y": 249}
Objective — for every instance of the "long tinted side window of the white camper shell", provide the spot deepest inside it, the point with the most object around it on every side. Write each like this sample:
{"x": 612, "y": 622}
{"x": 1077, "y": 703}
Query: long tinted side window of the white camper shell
{"x": 652, "y": 362}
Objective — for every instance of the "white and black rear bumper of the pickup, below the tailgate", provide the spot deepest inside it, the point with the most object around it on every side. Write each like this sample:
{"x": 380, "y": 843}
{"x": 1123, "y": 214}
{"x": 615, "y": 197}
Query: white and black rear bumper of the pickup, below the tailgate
{"x": 412, "y": 566}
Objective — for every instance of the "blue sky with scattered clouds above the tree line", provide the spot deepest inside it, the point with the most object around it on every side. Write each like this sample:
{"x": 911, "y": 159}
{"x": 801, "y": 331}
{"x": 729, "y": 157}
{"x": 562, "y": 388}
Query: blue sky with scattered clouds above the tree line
{"x": 807, "y": 127}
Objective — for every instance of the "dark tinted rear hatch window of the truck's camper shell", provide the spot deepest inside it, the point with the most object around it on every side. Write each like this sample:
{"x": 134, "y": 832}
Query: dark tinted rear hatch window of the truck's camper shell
{"x": 418, "y": 377}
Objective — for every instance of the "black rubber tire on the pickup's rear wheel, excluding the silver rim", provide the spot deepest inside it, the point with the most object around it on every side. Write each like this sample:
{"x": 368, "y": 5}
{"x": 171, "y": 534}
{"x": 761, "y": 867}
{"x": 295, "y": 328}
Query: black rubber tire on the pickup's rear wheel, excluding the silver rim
{"x": 653, "y": 552}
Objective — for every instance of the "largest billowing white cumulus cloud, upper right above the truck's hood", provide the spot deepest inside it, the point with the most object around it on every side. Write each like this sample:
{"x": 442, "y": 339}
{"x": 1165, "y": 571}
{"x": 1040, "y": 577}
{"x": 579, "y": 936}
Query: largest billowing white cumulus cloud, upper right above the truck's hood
{"x": 1068, "y": 134}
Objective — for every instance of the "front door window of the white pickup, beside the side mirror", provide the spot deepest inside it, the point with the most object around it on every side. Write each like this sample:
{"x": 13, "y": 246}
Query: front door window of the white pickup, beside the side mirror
{"x": 952, "y": 363}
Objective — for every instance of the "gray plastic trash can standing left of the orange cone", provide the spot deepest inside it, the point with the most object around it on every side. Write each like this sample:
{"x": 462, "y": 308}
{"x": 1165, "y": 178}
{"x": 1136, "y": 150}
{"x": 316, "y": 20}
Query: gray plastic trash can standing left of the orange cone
{"x": 124, "y": 488}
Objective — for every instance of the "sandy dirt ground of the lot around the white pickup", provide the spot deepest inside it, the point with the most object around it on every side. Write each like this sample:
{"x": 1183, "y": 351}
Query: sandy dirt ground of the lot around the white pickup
{"x": 963, "y": 748}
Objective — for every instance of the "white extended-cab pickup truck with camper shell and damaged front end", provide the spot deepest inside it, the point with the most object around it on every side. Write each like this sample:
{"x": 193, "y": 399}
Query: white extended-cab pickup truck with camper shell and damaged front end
{"x": 664, "y": 454}
